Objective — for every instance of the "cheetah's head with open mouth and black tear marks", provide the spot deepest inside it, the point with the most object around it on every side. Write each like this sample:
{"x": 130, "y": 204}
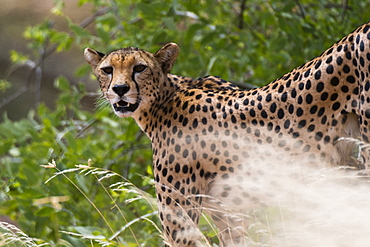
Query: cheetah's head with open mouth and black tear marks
{"x": 131, "y": 79}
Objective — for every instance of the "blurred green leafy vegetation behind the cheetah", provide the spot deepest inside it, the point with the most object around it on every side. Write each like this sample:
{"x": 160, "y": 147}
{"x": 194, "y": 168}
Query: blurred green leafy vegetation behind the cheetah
{"x": 48, "y": 109}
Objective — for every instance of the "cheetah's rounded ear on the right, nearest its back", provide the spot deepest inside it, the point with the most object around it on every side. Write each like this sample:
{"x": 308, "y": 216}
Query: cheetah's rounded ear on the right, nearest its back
{"x": 167, "y": 55}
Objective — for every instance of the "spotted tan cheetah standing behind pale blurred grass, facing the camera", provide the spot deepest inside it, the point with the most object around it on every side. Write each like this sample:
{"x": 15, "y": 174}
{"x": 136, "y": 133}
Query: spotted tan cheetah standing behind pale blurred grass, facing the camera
{"x": 207, "y": 132}
